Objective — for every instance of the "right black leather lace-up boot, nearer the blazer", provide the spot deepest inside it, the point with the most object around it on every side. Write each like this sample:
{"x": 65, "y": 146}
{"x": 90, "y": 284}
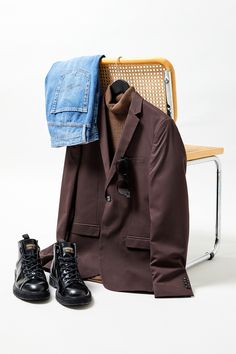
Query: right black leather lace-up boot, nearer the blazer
{"x": 65, "y": 277}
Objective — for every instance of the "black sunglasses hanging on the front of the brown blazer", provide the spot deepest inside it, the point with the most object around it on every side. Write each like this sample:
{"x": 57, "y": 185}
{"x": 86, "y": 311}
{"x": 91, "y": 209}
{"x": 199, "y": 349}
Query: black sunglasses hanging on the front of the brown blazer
{"x": 122, "y": 168}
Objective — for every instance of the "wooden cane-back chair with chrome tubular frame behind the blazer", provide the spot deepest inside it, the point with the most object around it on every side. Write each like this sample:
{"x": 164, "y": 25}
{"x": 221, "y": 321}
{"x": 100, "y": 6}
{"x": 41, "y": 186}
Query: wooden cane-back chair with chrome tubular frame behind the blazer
{"x": 154, "y": 79}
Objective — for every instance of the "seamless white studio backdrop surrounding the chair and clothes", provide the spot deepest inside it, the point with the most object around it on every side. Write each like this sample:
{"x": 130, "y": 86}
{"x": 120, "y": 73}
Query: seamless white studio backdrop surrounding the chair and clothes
{"x": 198, "y": 37}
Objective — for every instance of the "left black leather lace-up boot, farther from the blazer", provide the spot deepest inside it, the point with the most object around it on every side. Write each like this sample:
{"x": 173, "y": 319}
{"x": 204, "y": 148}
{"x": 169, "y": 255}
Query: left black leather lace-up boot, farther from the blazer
{"x": 30, "y": 281}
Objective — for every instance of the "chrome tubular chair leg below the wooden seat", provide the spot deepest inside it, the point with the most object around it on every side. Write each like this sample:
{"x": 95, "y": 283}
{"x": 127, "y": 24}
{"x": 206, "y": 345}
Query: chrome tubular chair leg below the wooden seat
{"x": 211, "y": 254}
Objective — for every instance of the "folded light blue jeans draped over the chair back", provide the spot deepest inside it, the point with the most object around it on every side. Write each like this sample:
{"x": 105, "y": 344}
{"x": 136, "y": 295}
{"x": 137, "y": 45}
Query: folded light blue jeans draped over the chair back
{"x": 72, "y": 93}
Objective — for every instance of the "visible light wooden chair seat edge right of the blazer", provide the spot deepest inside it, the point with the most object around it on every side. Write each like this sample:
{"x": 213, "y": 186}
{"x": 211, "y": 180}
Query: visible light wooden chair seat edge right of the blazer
{"x": 197, "y": 152}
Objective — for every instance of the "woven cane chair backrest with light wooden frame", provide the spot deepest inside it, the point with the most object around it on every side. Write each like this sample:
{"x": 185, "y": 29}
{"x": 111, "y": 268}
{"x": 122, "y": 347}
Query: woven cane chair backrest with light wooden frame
{"x": 146, "y": 75}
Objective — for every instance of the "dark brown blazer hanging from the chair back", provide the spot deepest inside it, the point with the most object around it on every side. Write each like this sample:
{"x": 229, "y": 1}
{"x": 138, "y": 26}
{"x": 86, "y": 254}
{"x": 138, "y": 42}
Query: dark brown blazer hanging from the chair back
{"x": 138, "y": 243}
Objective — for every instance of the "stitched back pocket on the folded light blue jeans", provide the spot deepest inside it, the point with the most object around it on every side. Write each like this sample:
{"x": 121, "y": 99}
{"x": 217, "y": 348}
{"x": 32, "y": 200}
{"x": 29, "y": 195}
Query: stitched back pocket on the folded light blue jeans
{"x": 72, "y": 92}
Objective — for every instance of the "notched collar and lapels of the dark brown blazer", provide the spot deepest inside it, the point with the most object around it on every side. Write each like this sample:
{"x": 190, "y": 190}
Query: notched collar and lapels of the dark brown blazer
{"x": 130, "y": 125}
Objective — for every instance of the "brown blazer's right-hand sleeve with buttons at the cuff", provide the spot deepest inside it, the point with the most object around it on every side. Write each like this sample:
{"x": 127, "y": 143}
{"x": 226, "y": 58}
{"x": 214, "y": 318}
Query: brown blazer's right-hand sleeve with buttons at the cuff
{"x": 169, "y": 214}
